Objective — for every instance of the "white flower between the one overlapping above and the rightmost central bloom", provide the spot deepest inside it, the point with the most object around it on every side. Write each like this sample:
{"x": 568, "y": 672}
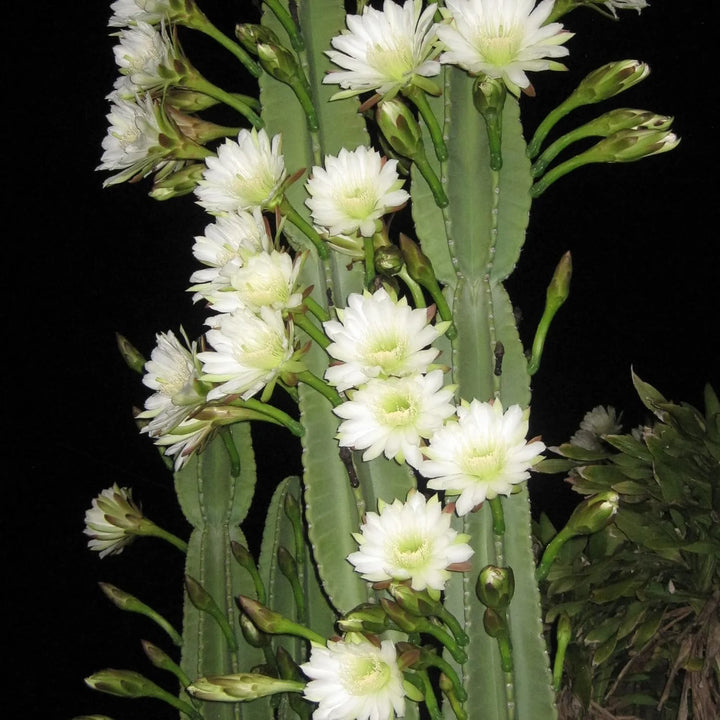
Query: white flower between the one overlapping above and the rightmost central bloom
{"x": 391, "y": 415}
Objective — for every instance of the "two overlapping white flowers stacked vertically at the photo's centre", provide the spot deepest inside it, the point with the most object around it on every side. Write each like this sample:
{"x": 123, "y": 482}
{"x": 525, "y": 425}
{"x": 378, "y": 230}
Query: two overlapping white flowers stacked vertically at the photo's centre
{"x": 384, "y": 354}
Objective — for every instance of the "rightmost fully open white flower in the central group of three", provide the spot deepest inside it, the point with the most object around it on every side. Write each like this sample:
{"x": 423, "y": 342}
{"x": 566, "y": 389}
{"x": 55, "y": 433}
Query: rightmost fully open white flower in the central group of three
{"x": 482, "y": 455}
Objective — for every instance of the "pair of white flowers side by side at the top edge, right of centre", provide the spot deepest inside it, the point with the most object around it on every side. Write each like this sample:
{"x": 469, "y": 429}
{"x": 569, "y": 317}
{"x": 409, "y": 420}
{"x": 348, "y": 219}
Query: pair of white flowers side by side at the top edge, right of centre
{"x": 391, "y": 50}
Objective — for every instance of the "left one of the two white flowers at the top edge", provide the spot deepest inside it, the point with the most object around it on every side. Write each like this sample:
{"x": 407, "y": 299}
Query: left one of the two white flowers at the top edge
{"x": 383, "y": 50}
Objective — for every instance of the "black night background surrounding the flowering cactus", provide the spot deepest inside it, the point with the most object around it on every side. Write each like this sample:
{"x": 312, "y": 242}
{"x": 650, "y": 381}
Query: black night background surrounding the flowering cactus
{"x": 87, "y": 262}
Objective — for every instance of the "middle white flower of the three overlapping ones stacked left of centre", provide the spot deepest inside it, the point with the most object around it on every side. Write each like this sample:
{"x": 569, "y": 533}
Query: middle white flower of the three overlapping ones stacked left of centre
{"x": 264, "y": 280}
